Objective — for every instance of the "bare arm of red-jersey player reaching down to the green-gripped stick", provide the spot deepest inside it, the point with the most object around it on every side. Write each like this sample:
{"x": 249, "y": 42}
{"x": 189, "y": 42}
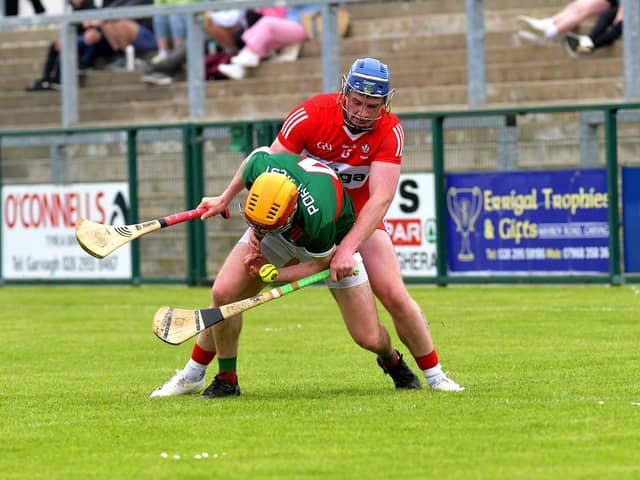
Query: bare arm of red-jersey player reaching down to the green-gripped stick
{"x": 383, "y": 181}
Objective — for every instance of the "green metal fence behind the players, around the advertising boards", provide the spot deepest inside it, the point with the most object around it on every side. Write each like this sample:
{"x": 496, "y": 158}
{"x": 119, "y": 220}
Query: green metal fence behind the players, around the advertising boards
{"x": 168, "y": 168}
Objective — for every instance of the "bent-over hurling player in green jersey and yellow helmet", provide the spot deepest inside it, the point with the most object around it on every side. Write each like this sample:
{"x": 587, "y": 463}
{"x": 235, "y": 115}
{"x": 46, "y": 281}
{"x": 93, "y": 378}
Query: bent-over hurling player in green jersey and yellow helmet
{"x": 297, "y": 211}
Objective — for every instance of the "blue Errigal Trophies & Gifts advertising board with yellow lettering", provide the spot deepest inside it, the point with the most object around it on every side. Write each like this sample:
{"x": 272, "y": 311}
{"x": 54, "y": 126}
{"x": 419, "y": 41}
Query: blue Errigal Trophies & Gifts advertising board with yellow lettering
{"x": 538, "y": 222}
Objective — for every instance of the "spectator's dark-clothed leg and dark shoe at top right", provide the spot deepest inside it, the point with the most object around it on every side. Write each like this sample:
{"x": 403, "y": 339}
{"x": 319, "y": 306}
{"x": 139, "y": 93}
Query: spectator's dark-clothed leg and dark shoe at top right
{"x": 607, "y": 29}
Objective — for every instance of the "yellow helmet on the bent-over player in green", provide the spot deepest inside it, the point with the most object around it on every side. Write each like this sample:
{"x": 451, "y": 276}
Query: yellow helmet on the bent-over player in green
{"x": 271, "y": 203}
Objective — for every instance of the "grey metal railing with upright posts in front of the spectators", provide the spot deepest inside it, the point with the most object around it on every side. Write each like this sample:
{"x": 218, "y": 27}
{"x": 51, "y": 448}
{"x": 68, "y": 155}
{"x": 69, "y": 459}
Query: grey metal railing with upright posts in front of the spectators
{"x": 476, "y": 58}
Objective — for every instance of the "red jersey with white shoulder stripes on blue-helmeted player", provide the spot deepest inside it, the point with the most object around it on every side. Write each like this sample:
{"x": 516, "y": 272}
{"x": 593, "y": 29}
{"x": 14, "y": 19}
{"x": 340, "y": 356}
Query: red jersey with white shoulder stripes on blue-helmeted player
{"x": 316, "y": 129}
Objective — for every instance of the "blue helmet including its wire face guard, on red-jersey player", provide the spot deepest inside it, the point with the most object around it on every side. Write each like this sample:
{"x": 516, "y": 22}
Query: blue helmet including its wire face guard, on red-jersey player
{"x": 368, "y": 77}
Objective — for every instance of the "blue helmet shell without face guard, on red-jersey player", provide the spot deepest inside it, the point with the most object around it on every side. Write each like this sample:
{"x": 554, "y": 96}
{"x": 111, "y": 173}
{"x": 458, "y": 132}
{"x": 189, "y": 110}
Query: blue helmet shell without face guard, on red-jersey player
{"x": 368, "y": 76}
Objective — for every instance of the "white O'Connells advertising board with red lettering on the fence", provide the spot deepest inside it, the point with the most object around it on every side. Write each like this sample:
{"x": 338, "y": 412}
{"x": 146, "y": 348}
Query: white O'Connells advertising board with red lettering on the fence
{"x": 38, "y": 236}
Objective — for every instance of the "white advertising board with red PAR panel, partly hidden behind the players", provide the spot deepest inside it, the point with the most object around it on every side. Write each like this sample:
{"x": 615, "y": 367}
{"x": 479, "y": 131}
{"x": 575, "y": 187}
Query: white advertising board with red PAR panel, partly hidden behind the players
{"x": 411, "y": 222}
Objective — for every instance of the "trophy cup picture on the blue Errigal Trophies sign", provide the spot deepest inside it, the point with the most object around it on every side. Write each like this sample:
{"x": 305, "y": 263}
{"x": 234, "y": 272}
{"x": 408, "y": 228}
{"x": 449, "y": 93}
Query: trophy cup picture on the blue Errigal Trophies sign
{"x": 465, "y": 205}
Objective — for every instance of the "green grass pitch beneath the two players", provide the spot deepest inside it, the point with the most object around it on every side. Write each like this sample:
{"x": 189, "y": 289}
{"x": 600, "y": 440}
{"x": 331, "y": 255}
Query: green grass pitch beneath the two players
{"x": 552, "y": 376}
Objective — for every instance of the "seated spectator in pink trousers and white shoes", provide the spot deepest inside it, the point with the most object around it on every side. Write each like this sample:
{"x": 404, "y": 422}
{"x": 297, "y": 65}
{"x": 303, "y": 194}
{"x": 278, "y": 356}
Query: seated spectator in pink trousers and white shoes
{"x": 267, "y": 35}
